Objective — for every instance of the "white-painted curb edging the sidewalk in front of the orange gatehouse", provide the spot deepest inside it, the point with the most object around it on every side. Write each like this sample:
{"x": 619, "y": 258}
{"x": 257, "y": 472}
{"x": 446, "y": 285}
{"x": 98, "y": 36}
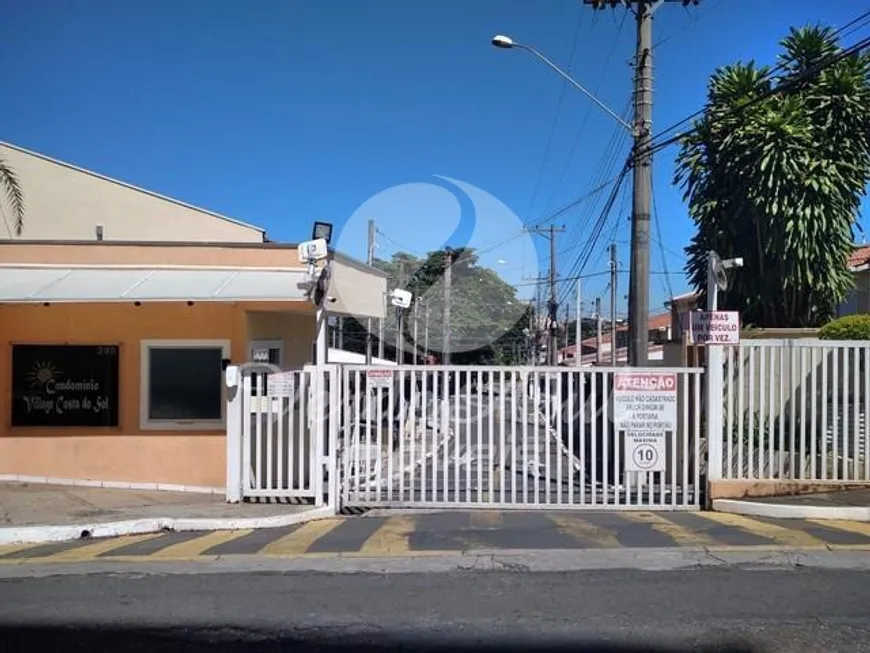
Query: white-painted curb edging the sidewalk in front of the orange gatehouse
{"x": 60, "y": 533}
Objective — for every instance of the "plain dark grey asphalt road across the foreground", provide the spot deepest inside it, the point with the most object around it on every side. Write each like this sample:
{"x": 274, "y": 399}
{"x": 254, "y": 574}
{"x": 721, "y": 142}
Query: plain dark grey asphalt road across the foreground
{"x": 718, "y": 609}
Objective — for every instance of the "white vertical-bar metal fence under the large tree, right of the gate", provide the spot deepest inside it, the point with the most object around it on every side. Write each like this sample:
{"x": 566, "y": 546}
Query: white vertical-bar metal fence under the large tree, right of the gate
{"x": 796, "y": 410}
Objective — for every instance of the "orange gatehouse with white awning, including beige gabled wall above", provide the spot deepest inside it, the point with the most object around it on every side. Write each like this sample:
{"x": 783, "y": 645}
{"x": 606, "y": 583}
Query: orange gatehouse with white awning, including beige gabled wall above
{"x": 120, "y": 309}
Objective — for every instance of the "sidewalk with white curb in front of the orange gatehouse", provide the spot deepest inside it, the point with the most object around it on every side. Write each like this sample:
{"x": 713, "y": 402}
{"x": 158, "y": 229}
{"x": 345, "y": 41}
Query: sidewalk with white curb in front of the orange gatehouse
{"x": 43, "y": 513}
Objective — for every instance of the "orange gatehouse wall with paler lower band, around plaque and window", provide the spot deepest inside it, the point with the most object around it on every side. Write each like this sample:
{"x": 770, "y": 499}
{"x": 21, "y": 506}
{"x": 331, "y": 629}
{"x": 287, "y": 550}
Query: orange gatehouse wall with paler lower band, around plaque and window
{"x": 125, "y": 453}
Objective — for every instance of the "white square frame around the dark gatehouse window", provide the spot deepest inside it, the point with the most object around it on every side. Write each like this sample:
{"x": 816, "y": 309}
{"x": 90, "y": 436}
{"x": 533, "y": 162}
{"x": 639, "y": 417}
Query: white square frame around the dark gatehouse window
{"x": 148, "y": 424}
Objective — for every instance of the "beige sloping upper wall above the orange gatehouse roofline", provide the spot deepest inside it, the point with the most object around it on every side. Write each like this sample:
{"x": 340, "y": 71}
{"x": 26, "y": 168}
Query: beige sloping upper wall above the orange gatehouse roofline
{"x": 63, "y": 202}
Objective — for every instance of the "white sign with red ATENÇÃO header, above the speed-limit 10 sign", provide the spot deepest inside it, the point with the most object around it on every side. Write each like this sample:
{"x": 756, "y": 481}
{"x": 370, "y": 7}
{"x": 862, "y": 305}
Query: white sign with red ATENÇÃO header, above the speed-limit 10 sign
{"x": 645, "y": 401}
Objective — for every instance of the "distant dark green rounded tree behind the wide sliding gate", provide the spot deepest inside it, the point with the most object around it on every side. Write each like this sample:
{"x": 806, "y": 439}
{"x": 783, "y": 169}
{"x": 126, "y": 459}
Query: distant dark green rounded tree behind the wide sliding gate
{"x": 487, "y": 319}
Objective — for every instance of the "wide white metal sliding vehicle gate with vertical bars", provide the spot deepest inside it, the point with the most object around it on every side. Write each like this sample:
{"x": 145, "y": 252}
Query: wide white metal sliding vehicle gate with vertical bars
{"x": 498, "y": 437}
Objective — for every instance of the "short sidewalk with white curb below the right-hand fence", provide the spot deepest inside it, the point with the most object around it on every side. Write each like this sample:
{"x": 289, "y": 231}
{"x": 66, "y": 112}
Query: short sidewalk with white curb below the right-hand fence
{"x": 852, "y": 505}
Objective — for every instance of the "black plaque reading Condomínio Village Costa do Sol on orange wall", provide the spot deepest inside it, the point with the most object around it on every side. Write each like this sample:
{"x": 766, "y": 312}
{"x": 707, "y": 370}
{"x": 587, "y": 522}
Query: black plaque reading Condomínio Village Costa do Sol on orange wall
{"x": 64, "y": 385}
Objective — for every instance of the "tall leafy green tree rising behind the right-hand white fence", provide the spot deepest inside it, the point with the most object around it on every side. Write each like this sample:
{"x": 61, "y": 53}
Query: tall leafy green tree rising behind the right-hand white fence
{"x": 774, "y": 172}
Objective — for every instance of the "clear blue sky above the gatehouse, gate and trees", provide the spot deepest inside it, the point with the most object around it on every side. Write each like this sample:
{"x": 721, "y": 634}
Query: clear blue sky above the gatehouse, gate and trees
{"x": 282, "y": 112}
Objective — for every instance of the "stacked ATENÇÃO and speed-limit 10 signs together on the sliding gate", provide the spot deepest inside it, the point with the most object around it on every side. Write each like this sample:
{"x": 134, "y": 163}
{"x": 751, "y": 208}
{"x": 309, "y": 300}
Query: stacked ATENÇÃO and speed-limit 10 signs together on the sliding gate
{"x": 645, "y": 409}
